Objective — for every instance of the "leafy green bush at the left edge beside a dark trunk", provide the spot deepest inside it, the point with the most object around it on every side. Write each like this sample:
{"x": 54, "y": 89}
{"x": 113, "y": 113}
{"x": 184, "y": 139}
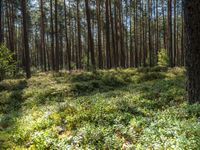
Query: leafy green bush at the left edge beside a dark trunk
{"x": 7, "y": 64}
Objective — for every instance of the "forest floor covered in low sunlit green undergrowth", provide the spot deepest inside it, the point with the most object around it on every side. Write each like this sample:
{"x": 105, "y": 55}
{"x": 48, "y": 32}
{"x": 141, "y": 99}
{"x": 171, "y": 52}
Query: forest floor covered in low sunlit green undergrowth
{"x": 116, "y": 109}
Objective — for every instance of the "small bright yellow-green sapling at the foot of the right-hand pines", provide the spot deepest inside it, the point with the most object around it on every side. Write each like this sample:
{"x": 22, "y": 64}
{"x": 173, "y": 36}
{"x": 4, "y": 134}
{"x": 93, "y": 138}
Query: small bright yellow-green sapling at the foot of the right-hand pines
{"x": 163, "y": 59}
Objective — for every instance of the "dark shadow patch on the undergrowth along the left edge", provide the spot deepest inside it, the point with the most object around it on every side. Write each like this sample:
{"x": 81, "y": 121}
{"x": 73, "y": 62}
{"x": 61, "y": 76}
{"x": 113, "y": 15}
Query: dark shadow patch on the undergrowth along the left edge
{"x": 10, "y": 104}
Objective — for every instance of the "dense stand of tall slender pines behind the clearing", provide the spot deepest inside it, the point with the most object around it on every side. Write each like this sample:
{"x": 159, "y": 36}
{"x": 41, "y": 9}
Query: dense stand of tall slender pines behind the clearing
{"x": 92, "y": 34}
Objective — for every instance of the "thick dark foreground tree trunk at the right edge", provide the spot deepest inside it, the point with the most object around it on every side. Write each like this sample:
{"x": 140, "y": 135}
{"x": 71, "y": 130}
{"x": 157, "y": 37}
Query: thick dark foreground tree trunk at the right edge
{"x": 192, "y": 31}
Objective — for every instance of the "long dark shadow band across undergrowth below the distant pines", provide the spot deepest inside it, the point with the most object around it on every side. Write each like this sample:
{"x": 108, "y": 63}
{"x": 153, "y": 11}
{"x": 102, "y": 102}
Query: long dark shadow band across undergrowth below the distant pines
{"x": 87, "y": 83}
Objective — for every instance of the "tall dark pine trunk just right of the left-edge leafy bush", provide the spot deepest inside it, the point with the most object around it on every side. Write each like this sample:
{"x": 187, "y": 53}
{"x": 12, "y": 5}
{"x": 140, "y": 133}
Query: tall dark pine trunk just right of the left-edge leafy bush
{"x": 25, "y": 39}
